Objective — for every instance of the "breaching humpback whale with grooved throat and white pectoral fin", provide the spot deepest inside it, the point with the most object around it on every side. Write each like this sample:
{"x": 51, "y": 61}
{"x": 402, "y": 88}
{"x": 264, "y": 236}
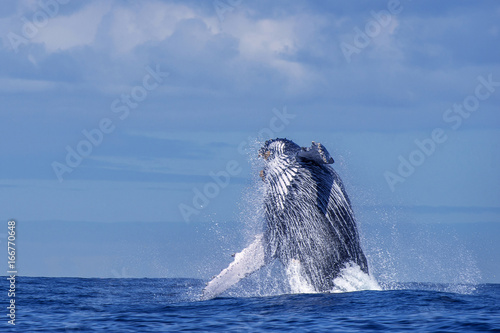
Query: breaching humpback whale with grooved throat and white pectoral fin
{"x": 309, "y": 222}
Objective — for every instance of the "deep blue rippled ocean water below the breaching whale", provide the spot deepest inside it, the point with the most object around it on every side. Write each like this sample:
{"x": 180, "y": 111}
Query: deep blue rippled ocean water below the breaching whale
{"x": 171, "y": 305}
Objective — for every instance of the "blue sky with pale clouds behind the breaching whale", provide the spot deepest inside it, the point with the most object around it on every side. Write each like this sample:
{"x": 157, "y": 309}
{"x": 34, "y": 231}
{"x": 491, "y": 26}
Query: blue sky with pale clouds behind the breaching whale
{"x": 129, "y": 130}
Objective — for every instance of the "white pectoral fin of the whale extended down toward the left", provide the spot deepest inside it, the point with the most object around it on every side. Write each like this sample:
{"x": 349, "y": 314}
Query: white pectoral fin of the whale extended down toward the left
{"x": 245, "y": 262}
